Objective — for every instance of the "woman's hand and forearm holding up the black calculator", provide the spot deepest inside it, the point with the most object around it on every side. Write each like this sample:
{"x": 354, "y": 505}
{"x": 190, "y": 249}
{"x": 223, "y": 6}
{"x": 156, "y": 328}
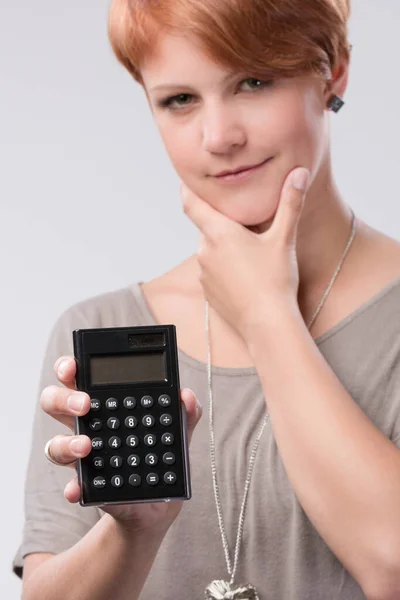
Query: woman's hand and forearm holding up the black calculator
{"x": 115, "y": 556}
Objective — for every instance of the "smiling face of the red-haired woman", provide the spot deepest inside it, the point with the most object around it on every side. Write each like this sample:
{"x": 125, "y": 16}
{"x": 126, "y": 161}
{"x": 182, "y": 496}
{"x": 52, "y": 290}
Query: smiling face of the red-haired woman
{"x": 217, "y": 121}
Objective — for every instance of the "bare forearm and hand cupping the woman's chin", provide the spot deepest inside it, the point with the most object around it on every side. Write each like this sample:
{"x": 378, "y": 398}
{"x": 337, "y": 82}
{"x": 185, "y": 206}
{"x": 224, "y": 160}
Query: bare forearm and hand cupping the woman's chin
{"x": 343, "y": 469}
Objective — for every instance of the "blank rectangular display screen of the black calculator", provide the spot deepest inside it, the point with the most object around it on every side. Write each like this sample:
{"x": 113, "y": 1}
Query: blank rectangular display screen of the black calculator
{"x": 128, "y": 368}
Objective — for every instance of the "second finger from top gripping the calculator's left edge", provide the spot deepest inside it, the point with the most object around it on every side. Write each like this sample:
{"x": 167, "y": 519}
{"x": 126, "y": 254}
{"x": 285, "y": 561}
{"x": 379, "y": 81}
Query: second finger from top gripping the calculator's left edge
{"x": 64, "y": 404}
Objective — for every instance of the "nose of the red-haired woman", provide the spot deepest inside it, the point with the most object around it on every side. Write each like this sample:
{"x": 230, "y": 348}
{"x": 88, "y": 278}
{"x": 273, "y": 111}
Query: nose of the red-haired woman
{"x": 222, "y": 129}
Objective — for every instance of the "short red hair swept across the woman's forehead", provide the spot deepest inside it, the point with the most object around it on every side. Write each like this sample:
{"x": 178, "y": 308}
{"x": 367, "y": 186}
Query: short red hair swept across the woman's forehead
{"x": 280, "y": 38}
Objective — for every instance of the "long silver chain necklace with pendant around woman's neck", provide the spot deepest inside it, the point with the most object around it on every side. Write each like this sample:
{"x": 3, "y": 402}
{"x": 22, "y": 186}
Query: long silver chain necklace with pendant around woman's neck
{"x": 220, "y": 589}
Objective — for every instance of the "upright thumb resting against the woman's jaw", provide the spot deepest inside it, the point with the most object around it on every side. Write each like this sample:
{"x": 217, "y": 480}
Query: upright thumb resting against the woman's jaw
{"x": 291, "y": 205}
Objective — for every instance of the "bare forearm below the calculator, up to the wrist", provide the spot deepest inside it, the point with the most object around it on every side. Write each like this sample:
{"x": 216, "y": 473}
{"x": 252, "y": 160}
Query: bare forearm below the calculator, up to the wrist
{"x": 110, "y": 561}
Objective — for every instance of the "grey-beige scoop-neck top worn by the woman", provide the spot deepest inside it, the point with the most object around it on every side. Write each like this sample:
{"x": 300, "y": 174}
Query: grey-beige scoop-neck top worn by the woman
{"x": 282, "y": 553}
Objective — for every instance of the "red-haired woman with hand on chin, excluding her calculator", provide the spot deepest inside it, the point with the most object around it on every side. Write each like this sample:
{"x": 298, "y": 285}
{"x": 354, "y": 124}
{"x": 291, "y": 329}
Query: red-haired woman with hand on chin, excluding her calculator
{"x": 310, "y": 402}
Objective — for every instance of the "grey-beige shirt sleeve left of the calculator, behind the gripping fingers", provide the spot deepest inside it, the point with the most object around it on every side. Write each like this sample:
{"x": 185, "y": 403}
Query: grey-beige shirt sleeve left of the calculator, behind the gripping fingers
{"x": 51, "y": 524}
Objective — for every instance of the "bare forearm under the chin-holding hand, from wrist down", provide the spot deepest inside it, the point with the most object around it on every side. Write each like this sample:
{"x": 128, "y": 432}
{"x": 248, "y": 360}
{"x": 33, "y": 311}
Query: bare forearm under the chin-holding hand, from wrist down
{"x": 344, "y": 470}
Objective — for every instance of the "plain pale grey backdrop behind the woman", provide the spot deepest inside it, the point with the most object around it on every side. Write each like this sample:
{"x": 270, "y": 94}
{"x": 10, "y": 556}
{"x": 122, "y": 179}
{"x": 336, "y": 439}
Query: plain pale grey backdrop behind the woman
{"x": 84, "y": 174}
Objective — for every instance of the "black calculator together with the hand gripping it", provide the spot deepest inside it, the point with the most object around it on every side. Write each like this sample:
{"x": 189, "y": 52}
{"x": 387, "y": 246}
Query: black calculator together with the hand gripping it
{"x": 149, "y": 404}
